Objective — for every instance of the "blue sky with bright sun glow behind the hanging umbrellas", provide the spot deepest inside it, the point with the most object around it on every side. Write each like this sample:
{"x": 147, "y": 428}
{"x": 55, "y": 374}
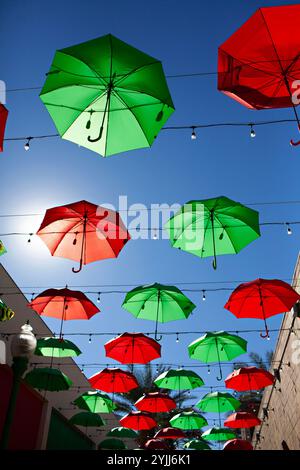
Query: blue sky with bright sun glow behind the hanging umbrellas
{"x": 185, "y": 37}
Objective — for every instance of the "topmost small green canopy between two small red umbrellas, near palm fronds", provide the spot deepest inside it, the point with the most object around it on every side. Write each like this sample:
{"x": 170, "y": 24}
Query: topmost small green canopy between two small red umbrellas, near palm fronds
{"x": 179, "y": 379}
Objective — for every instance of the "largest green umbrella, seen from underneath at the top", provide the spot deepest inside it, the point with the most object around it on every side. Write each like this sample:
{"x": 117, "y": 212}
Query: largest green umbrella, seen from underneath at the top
{"x": 107, "y": 96}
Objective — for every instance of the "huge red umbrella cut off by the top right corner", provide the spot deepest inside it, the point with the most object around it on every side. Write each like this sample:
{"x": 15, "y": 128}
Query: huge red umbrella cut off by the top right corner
{"x": 260, "y": 73}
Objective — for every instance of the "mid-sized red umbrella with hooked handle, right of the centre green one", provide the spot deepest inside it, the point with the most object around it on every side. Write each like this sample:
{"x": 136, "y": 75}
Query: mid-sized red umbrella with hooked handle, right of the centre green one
{"x": 262, "y": 298}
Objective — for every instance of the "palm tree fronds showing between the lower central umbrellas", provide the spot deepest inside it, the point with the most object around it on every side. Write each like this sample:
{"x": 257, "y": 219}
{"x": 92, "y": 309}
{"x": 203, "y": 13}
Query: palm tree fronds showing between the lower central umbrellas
{"x": 145, "y": 376}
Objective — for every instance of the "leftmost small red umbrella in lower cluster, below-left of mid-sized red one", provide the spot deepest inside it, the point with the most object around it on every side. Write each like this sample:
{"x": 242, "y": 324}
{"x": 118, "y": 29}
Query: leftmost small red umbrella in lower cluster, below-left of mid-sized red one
{"x": 113, "y": 380}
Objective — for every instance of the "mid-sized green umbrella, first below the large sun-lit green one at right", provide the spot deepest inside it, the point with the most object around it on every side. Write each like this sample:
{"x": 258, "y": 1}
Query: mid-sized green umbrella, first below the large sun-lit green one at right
{"x": 217, "y": 347}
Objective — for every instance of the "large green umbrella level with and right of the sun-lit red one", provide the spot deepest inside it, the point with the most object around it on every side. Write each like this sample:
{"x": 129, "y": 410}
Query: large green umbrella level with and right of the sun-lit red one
{"x": 212, "y": 227}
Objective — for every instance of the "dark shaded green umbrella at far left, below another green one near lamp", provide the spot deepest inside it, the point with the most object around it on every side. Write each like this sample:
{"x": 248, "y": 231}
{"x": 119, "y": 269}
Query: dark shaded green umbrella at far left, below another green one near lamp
{"x": 47, "y": 378}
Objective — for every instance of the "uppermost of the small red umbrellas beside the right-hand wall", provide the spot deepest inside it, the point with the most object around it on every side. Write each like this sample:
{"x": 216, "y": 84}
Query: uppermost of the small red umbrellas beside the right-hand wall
{"x": 249, "y": 378}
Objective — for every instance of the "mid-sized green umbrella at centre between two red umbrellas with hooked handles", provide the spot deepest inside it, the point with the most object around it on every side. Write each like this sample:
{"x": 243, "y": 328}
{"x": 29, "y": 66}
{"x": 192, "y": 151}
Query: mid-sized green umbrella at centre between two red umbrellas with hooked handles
{"x": 158, "y": 302}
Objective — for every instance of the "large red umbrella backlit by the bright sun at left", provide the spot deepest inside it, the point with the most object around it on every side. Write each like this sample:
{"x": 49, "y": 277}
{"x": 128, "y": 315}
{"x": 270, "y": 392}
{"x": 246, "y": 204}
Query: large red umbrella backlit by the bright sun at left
{"x": 83, "y": 232}
